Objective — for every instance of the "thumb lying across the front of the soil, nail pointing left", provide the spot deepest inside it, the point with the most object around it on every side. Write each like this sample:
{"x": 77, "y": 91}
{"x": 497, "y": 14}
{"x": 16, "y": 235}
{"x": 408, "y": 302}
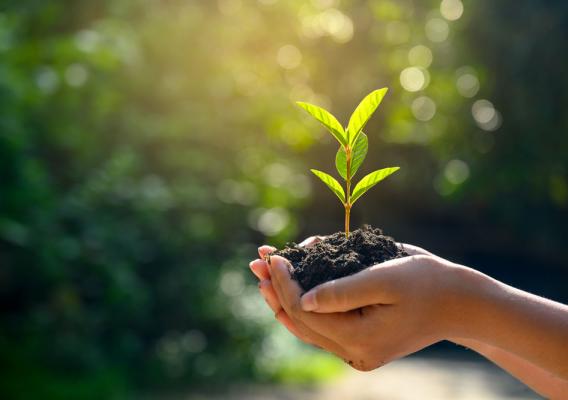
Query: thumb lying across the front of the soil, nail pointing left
{"x": 374, "y": 285}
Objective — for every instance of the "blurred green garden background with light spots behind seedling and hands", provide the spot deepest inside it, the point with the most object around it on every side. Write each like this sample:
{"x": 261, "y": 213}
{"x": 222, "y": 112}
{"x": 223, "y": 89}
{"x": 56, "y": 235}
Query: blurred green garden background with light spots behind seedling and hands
{"x": 148, "y": 147}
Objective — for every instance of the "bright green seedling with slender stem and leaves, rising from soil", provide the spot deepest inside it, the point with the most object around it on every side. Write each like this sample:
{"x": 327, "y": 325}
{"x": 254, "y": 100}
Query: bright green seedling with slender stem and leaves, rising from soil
{"x": 353, "y": 146}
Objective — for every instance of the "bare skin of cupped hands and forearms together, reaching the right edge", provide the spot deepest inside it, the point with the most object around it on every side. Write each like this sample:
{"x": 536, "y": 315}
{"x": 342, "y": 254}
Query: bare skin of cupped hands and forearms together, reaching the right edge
{"x": 398, "y": 307}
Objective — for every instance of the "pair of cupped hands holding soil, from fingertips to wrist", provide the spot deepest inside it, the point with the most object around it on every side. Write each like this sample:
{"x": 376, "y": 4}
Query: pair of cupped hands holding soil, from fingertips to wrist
{"x": 380, "y": 314}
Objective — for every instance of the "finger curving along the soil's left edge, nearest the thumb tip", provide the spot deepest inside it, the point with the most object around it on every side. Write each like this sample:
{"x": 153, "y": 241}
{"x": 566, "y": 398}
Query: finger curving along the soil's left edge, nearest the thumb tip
{"x": 289, "y": 294}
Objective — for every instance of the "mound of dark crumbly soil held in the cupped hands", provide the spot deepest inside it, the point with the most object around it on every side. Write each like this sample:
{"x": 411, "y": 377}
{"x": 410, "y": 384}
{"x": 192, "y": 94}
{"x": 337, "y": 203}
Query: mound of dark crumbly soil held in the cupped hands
{"x": 337, "y": 256}
